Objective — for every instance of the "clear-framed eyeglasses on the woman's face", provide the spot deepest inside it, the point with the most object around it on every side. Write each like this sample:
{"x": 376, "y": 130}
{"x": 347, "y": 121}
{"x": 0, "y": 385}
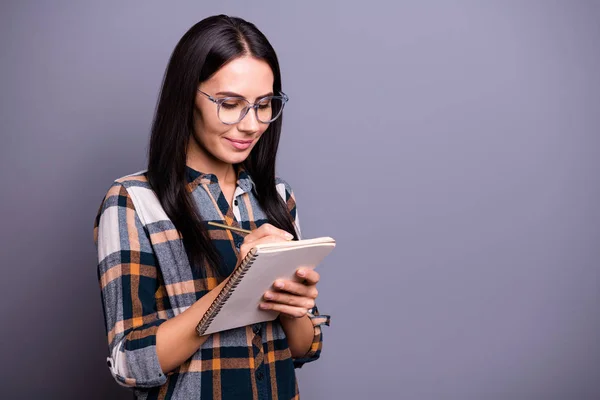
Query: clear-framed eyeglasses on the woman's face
{"x": 232, "y": 110}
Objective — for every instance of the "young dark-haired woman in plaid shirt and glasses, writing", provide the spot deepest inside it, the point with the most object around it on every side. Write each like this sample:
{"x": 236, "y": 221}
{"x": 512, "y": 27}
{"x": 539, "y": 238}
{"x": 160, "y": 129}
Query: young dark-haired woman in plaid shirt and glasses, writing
{"x": 212, "y": 158}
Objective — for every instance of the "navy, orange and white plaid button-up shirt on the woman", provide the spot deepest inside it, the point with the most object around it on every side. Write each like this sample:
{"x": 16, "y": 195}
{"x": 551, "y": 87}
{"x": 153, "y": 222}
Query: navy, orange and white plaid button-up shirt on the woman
{"x": 145, "y": 279}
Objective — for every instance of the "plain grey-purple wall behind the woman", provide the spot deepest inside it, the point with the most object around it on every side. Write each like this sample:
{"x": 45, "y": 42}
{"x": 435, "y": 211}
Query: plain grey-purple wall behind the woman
{"x": 451, "y": 147}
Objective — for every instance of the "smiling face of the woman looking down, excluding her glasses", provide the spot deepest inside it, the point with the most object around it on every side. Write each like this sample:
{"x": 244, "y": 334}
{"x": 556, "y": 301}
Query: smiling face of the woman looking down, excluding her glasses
{"x": 215, "y": 143}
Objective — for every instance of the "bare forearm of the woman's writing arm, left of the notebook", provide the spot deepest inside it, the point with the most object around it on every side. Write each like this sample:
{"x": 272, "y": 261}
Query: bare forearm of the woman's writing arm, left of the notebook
{"x": 176, "y": 338}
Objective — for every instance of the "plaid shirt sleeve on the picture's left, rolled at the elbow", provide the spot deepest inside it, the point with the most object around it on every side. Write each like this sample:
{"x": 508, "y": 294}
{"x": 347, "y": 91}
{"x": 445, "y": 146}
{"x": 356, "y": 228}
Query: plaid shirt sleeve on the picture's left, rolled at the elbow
{"x": 127, "y": 273}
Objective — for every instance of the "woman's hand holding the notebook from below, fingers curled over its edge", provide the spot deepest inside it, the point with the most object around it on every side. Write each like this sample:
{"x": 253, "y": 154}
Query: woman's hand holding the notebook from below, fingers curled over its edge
{"x": 293, "y": 298}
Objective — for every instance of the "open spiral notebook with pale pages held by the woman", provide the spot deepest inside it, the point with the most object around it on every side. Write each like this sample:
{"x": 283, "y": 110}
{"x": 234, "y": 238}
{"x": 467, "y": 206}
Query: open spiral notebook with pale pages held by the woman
{"x": 237, "y": 303}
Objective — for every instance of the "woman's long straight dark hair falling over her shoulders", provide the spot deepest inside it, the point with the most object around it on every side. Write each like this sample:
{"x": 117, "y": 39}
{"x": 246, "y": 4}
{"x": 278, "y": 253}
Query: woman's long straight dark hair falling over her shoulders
{"x": 201, "y": 52}
